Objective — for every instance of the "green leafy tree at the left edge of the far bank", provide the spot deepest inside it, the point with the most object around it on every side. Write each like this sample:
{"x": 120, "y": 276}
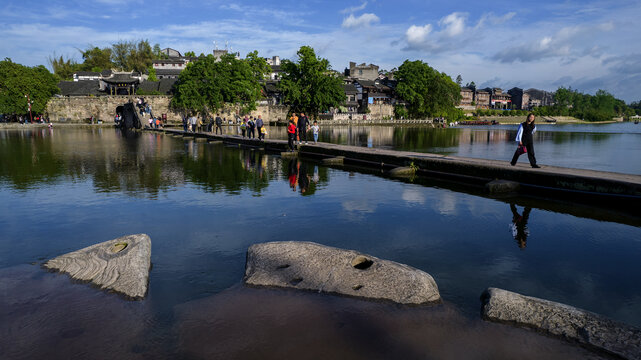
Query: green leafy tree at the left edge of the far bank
{"x": 17, "y": 80}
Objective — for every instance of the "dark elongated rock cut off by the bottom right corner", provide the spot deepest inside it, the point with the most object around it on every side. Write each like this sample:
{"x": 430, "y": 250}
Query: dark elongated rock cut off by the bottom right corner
{"x": 562, "y": 320}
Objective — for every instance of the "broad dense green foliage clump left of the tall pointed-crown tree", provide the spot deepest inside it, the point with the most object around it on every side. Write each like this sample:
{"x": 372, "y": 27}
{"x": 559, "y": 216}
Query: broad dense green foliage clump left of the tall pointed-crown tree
{"x": 207, "y": 84}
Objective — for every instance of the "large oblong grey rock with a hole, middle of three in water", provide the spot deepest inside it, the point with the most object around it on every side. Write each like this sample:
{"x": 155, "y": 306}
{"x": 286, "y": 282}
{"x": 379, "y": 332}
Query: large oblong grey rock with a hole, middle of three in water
{"x": 310, "y": 266}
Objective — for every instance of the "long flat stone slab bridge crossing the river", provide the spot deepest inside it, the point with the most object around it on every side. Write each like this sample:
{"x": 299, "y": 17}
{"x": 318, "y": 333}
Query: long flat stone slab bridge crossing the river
{"x": 622, "y": 191}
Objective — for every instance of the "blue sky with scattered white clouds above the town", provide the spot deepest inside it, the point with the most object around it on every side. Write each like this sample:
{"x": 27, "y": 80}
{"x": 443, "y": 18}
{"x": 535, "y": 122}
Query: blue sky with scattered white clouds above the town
{"x": 587, "y": 45}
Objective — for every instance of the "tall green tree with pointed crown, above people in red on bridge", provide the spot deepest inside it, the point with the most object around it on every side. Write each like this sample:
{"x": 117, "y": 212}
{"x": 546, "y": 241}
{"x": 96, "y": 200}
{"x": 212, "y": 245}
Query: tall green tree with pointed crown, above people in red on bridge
{"x": 307, "y": 86}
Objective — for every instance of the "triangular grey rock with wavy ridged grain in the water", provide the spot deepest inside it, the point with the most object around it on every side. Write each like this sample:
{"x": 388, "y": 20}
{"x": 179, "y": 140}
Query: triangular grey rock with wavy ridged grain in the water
{"x": 121, "y": 265}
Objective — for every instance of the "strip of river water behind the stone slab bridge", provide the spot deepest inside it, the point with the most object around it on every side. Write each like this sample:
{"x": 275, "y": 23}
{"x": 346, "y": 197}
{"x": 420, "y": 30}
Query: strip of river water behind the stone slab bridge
{"x": 608, "y": 147}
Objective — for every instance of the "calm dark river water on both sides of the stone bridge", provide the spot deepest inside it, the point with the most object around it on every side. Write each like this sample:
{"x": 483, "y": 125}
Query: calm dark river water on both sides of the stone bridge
{"x": 204, "y": 204}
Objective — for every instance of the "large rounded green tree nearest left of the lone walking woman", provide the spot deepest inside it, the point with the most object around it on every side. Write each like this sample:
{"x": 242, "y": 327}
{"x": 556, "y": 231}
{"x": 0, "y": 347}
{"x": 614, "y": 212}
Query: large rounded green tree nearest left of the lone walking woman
{"x": 427, "y": 92}
